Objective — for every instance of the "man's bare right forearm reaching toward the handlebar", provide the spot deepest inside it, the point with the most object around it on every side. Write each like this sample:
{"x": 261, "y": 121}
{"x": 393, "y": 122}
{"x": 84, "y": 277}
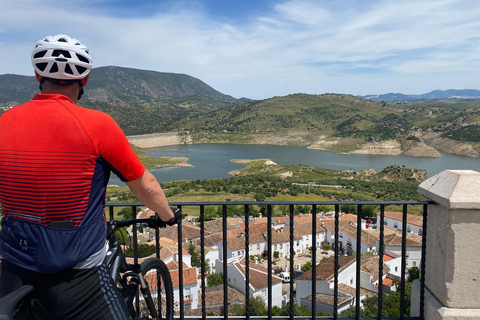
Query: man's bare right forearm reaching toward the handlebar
{"x": 148, "y": 191}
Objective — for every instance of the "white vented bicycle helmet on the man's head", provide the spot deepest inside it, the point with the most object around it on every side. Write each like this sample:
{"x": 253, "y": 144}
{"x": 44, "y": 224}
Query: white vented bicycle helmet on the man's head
{"x": 61, "y": 57}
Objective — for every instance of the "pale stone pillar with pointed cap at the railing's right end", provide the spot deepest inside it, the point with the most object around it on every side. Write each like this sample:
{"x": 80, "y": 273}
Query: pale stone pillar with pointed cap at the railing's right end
{"x": 452, "y": 272}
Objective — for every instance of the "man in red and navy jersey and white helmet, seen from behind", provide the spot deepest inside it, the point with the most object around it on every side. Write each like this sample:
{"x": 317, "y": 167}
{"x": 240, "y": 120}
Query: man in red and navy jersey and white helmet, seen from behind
{"x": 55, "y": 162}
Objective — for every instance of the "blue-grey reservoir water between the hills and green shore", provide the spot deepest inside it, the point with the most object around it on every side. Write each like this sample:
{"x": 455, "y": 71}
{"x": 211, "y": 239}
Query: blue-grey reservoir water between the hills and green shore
{"x": 213, "y": 161}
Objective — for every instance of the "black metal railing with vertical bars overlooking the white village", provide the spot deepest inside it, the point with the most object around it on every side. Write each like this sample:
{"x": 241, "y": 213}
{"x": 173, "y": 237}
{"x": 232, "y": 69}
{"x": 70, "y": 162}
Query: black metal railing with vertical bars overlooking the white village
{"x": 314, "y": 205}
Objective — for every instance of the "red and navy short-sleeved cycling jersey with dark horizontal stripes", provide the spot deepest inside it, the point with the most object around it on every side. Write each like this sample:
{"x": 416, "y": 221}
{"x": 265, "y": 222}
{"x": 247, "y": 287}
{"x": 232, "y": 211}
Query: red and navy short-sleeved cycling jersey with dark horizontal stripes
{"x": 55, "y": 163}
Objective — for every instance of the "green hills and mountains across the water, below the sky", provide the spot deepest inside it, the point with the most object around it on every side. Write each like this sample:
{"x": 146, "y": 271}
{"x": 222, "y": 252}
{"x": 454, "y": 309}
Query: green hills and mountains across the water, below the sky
{"x": 148, "y": 102}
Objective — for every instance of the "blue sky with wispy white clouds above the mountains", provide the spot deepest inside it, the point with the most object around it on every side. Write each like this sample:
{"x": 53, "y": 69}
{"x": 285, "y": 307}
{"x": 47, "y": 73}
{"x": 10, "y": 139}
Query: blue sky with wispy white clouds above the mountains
{"x": 264, "y": 48}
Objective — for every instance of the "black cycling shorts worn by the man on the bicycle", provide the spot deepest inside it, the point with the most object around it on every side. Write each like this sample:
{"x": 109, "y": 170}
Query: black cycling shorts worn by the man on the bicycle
{"x": 71, "y": 294}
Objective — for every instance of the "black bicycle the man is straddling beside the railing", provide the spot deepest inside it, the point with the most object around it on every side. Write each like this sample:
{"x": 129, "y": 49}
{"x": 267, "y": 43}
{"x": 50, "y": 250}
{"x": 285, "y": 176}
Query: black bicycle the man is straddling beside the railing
{"x": 146, "y": 288}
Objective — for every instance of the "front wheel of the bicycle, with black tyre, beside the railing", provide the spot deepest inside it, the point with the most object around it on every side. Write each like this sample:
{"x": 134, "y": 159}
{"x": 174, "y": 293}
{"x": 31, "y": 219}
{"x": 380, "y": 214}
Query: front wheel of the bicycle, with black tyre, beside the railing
{"x": 156, "y": 274}
